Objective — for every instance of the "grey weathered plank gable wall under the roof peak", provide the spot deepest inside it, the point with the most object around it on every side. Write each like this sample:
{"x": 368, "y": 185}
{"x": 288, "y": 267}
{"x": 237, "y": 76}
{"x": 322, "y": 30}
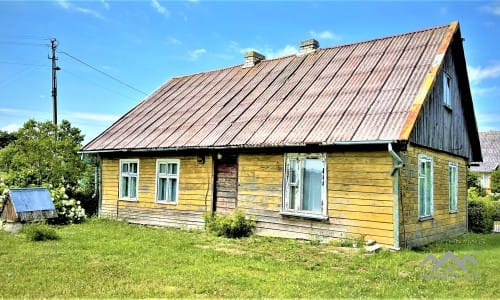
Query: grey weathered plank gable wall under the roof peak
{"x": 438, "y": 126}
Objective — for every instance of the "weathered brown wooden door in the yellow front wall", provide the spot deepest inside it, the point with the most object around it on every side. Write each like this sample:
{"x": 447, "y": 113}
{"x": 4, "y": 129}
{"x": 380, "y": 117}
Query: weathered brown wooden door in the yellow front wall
{"x": 226, "y": 184}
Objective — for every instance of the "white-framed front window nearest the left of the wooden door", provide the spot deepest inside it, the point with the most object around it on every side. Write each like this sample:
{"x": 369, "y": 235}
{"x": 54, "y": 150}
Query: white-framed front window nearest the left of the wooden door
{"x": 167, "y": 180}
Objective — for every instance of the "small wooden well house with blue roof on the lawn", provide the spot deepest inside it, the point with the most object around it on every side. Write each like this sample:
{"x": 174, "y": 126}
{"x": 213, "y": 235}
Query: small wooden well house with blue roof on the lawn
{"x": 28, "y": 205}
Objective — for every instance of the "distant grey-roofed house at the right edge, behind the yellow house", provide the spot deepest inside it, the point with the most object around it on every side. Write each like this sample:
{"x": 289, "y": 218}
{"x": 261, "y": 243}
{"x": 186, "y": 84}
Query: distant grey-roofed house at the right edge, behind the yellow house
{"x": 490, "y": 146}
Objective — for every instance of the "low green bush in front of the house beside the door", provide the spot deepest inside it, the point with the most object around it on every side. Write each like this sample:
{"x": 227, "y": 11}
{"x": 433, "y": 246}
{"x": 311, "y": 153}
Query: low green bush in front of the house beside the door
{"x": 235, "y": 225}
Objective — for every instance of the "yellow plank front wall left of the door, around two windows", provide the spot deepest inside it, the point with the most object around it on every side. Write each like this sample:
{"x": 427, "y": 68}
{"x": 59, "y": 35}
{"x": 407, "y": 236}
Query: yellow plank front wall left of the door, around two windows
{"x": 195, "y": 194}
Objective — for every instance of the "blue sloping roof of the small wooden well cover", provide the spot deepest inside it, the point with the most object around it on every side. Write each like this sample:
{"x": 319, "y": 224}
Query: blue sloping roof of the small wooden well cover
{"x": 31, "y": 199}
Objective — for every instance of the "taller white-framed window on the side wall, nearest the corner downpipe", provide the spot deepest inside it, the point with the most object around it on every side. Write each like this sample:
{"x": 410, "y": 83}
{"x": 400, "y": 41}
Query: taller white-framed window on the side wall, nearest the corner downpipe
{"x": 425, "y": 186}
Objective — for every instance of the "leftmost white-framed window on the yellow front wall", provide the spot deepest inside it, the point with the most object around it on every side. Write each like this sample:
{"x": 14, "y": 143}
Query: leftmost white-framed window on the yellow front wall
{"x": 129, "y": 179}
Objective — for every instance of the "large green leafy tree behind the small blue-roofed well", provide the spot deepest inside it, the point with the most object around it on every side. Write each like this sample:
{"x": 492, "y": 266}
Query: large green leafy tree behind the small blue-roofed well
{"x": 44, "y": 154}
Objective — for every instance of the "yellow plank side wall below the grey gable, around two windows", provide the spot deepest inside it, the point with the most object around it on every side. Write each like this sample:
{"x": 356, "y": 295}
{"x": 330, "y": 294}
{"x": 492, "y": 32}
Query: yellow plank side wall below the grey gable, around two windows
{"x": 414, "y": 232}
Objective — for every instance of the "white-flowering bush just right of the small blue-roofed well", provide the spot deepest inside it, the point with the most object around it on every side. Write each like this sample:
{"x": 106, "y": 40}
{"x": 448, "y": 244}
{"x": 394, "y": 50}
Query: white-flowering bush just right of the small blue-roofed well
{"x": 68, "y": 210}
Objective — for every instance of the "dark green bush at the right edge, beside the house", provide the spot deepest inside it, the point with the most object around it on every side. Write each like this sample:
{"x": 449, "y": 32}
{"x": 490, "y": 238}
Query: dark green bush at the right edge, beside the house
{"x": 480, "y": 216}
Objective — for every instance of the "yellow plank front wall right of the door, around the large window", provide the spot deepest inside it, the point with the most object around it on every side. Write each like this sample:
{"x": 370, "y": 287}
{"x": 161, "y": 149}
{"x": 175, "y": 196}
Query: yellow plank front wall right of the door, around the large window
{"x": 359, "y": 193}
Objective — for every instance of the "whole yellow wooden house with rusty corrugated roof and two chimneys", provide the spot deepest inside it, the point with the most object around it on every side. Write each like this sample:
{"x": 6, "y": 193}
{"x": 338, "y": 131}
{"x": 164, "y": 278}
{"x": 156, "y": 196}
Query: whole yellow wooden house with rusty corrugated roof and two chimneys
{"x": 367, "y": 139}
